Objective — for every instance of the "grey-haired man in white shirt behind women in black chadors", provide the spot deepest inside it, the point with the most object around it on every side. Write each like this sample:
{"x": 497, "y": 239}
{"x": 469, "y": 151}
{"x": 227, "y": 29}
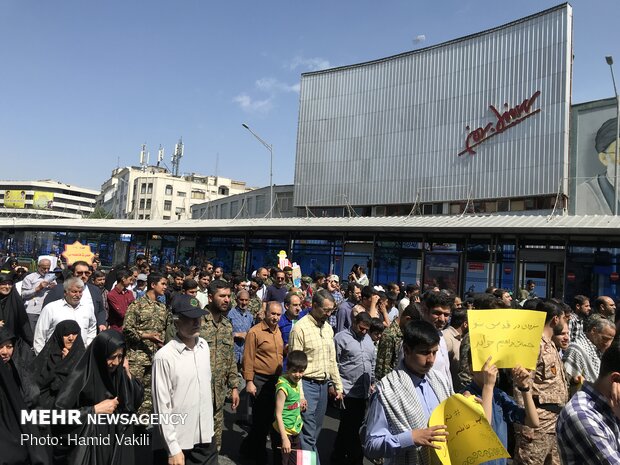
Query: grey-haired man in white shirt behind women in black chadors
{"x": 69, "y": 308}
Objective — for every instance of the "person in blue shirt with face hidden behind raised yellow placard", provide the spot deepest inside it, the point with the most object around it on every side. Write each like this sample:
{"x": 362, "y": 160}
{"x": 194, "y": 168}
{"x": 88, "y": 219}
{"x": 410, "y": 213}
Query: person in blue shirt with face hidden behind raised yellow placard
{"x": 499, "y": 408}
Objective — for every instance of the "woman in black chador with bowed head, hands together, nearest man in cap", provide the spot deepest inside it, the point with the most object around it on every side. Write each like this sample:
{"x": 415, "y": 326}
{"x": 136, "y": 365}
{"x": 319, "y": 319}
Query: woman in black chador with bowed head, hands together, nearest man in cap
{"x": 101, "y": 384}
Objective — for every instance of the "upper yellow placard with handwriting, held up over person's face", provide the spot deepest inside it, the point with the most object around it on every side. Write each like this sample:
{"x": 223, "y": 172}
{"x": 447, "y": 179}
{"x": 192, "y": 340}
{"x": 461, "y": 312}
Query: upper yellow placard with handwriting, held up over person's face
{"x": 512, "y": 337}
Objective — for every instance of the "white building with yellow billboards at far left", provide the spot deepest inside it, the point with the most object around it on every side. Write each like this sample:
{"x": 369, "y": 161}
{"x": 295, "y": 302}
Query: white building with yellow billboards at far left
{"x": 45, "y": 199}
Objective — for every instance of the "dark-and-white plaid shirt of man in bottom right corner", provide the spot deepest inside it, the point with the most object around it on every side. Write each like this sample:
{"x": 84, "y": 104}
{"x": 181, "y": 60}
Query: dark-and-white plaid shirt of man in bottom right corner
{"x": 588, "y": 430}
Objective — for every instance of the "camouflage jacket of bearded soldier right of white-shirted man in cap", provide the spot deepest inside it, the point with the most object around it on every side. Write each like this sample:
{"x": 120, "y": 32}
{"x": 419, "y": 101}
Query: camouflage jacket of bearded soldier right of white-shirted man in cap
{"x": 223, "y": 366}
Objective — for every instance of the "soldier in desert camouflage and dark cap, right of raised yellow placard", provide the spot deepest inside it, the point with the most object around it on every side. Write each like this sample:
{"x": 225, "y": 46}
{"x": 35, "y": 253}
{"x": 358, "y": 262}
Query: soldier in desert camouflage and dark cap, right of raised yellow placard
{"x": 550, "y": 393}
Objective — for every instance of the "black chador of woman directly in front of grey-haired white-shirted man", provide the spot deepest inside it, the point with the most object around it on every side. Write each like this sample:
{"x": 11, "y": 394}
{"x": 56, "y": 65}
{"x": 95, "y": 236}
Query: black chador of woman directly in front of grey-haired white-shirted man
{"x": 50, "y": 368}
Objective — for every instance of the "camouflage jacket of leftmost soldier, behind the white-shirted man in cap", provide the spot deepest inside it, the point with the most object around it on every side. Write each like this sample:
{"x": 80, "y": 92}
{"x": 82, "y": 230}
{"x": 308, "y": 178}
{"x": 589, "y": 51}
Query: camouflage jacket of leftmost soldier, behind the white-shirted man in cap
{"x": 143, "y": 316}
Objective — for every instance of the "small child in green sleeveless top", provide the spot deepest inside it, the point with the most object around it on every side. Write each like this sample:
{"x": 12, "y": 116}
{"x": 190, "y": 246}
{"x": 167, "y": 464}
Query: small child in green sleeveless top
{"x": 289, "y": 404}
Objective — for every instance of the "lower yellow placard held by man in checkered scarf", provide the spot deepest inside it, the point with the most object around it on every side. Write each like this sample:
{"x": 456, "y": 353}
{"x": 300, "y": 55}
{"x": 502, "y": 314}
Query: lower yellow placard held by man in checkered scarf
{"x": 470, "y": 439}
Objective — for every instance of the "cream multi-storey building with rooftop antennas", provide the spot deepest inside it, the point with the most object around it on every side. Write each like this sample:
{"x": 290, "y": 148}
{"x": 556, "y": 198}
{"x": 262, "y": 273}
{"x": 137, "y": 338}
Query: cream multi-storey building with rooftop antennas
{"x": 153, "y": 193}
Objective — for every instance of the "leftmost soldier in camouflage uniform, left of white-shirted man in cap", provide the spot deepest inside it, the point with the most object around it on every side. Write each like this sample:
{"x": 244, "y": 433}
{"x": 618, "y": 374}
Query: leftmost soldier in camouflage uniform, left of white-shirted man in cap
{"x": 144, "y": 329}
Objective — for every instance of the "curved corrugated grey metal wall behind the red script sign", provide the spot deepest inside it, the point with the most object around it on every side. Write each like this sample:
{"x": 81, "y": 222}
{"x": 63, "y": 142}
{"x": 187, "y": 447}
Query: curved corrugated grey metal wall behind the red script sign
{"x": 383, "y": 132}
